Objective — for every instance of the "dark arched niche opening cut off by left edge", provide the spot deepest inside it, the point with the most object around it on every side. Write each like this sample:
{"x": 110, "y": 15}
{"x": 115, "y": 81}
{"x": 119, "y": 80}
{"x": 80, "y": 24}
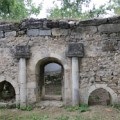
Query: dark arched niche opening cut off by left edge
{"x": 7, "y": 92}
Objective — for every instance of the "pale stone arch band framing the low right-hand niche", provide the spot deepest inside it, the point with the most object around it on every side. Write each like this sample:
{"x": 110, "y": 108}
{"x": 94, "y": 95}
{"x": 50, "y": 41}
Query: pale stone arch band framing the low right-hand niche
{"x": 113, "y": 95}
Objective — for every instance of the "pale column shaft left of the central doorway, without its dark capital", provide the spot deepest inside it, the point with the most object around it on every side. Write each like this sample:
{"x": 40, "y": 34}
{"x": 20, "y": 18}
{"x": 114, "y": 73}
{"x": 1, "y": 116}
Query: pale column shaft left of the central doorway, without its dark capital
{"x": 22, "y": 81}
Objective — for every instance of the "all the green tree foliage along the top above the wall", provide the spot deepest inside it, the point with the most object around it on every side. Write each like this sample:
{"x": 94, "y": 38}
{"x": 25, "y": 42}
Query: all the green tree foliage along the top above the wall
{"x": 69, "y": 9}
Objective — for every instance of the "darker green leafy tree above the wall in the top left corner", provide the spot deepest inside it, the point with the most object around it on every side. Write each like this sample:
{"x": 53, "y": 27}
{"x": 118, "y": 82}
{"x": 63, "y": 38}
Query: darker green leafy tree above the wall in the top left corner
{"x": 17, "y": 9}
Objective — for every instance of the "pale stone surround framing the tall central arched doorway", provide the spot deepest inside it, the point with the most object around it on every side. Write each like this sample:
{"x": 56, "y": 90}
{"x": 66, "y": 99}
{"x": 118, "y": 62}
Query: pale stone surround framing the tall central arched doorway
{"x": 33, "y": 62}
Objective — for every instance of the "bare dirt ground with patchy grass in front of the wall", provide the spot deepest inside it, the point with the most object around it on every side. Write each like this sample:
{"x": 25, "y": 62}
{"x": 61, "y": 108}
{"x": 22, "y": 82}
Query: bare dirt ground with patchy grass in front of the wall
{"x": 55, "y": 113}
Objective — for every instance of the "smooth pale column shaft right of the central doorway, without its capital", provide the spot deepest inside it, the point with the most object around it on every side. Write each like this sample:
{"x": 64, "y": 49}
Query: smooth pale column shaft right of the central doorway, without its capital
{"x": 75, "y": 81}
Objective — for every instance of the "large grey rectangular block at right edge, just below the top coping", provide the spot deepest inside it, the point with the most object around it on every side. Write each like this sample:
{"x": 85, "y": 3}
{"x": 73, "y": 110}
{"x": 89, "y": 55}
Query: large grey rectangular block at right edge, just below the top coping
{"x": 109, "y": 28}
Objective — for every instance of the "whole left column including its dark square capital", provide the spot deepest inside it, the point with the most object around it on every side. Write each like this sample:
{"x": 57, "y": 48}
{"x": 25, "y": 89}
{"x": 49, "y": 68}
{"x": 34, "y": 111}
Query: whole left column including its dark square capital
{"x": 22, "y": 53}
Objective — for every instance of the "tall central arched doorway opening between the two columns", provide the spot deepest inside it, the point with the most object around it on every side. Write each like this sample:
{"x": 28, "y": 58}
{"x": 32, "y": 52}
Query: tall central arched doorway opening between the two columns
{"x": 49, "y": 75}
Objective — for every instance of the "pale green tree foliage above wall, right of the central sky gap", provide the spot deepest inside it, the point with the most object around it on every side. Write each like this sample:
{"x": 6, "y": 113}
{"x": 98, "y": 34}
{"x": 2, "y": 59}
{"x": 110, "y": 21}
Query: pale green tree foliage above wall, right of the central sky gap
{"x": 76, "y": 9}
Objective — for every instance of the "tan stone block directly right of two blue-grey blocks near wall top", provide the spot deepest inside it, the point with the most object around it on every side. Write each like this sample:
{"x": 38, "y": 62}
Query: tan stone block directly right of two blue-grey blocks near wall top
{"x": 60, "y": 32}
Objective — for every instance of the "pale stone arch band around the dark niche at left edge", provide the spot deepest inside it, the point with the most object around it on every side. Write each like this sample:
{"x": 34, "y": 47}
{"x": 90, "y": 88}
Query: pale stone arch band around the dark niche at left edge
{"x": 14, "y": 84}
